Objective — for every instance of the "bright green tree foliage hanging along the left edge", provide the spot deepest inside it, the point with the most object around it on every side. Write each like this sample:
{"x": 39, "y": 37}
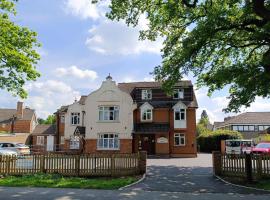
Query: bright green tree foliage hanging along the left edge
{"x": 18, "y": 57}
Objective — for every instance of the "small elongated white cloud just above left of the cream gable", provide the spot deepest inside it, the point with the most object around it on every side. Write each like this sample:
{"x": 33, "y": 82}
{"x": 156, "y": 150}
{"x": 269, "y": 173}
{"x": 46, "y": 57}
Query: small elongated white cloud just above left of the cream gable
{"x": 74, "y": 71}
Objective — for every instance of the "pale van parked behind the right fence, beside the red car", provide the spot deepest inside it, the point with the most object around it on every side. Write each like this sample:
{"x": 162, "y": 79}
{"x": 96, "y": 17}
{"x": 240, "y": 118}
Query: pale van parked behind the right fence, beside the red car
{"x": 238, "y": 146}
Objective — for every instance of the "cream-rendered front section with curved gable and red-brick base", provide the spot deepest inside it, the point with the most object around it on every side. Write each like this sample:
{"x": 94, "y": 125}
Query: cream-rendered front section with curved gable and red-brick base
{"x": 101, "y": 121}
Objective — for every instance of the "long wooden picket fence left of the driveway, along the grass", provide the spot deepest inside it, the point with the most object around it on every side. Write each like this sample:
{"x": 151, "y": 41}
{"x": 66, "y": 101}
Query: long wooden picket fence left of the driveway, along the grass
{"x": 100, "y": 164}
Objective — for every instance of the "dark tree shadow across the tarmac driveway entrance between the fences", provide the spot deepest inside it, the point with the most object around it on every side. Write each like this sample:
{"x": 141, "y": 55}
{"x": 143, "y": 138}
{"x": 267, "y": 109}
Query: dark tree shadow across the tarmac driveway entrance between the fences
{"x": 188, "y": 180}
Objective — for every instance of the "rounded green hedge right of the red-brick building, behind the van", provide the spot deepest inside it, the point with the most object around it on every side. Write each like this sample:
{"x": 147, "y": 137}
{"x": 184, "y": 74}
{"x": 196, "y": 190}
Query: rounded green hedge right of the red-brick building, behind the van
{"x": 211, "y": 140}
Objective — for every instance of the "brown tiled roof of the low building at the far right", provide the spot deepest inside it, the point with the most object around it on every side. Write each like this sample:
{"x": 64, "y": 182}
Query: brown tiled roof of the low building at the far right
{"x": 248, "y": 118}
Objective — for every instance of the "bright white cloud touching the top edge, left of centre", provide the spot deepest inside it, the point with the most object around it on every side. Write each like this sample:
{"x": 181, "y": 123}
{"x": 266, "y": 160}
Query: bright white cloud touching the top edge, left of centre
{"x": 83, "y": 9}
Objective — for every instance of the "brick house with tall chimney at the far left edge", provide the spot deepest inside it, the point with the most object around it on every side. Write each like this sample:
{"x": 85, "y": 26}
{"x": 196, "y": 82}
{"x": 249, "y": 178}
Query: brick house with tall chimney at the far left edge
{"x": 17, "y": 123}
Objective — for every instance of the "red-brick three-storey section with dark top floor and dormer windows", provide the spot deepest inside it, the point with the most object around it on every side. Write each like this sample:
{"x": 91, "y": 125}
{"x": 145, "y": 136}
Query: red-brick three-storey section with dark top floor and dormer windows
{"x": 163, "y": 124}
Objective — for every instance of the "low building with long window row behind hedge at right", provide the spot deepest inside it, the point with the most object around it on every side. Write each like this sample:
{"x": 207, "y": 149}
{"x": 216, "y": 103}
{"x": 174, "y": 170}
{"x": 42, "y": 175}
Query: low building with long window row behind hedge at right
{"x": 249, "y": 124}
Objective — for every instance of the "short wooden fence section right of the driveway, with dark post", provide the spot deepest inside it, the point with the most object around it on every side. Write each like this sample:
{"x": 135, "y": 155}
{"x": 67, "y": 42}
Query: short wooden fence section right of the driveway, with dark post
{"x": 246, "y": 166}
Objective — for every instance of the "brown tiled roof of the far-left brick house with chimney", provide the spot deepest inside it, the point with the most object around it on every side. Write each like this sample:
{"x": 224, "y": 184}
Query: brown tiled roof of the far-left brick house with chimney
{"x": 6, "y": 115}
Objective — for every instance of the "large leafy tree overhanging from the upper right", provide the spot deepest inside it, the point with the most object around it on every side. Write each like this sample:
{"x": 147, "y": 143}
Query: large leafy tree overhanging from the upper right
{"x": 221, "y": 42}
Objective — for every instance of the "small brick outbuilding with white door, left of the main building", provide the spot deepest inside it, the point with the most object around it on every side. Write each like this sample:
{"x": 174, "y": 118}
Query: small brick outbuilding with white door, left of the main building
{"x": 44, "y": 138}
